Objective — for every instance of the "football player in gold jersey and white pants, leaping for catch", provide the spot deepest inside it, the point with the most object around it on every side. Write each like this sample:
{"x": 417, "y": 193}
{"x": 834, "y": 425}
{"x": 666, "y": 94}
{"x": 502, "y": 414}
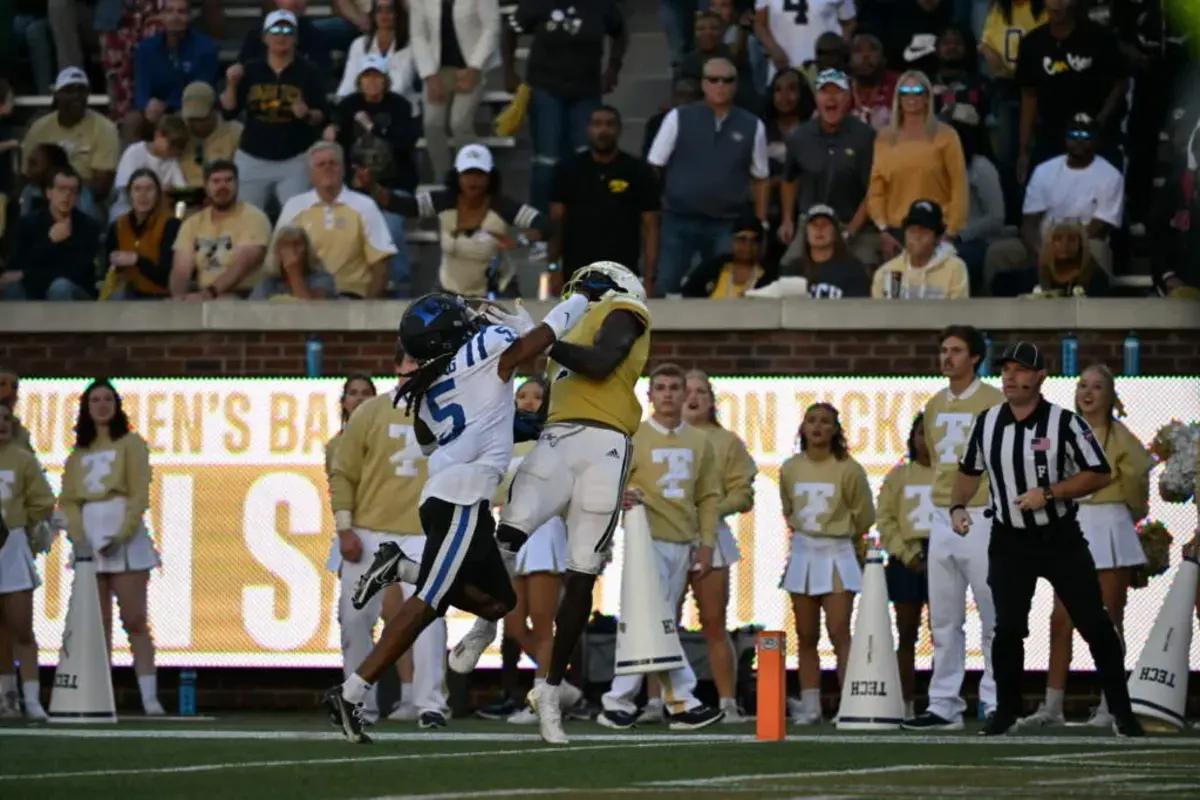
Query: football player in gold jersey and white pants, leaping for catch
{"x": 579, "y": 467}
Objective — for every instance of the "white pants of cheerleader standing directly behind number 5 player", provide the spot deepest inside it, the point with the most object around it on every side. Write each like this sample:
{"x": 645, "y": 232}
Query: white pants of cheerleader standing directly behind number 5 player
{"x": 358, "y": 628}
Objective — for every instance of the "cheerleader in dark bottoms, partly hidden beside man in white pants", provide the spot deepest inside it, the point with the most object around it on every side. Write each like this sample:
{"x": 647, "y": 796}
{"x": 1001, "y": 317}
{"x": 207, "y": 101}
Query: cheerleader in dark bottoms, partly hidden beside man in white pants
{"x": 905, "y": 521}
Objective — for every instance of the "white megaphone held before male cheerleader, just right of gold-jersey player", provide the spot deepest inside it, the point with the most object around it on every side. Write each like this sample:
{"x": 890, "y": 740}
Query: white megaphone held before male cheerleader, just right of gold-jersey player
{"x": 647, "y": 640}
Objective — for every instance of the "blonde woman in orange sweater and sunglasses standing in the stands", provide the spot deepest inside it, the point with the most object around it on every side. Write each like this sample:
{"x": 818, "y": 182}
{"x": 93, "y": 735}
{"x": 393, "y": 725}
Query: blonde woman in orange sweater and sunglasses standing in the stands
{"x": 916, "y": 158}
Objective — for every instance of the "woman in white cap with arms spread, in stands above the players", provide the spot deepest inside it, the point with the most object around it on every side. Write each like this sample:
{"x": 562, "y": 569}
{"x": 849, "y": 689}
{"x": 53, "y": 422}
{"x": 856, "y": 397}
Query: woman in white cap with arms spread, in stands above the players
{"x": 473, "y": 221}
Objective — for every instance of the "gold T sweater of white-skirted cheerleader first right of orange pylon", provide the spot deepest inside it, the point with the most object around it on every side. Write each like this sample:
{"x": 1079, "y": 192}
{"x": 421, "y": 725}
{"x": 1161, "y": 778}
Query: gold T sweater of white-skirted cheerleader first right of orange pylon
{"x": 827, "y": 497}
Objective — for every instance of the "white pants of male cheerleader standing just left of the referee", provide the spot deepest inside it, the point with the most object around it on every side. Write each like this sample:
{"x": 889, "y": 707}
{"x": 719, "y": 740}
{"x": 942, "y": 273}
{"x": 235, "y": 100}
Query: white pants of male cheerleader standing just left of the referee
{"x": 957, "y": 563}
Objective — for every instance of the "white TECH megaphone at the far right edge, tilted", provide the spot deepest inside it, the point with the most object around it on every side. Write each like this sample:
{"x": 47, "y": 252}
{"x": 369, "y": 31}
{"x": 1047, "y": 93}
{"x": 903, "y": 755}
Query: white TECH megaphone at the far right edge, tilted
{"x": 1159, "y": 685}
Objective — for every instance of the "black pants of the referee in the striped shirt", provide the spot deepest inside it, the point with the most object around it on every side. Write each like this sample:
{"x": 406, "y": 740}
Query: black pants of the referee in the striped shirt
{"x": 1017, "y": 558}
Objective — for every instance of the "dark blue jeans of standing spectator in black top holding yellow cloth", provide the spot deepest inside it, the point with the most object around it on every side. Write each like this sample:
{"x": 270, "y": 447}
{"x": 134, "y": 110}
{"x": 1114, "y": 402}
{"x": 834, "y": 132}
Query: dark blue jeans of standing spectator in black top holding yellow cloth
{"x": 559, "y": 128}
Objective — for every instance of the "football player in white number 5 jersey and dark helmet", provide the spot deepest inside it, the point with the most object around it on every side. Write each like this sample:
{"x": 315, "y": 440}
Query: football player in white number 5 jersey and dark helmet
{"x": 461, "y": 398}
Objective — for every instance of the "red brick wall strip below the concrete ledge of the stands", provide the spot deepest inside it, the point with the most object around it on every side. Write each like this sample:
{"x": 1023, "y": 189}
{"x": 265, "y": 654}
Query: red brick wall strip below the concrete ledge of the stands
{"x": 753, "y": 353}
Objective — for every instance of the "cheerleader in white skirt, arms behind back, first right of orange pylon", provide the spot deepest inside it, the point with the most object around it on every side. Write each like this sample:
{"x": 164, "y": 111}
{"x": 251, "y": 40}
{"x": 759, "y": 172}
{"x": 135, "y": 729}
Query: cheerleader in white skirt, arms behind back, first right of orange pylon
{"x": 827, "y": 503}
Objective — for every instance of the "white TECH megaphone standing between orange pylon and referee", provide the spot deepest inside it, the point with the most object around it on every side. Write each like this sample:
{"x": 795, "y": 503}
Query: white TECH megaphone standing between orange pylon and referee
{"x": 871, "y": 696}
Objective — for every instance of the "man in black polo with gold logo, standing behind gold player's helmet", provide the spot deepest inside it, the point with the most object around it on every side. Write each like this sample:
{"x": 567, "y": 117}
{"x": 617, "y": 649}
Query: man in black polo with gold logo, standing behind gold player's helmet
{"x": 605, "y": 206}
